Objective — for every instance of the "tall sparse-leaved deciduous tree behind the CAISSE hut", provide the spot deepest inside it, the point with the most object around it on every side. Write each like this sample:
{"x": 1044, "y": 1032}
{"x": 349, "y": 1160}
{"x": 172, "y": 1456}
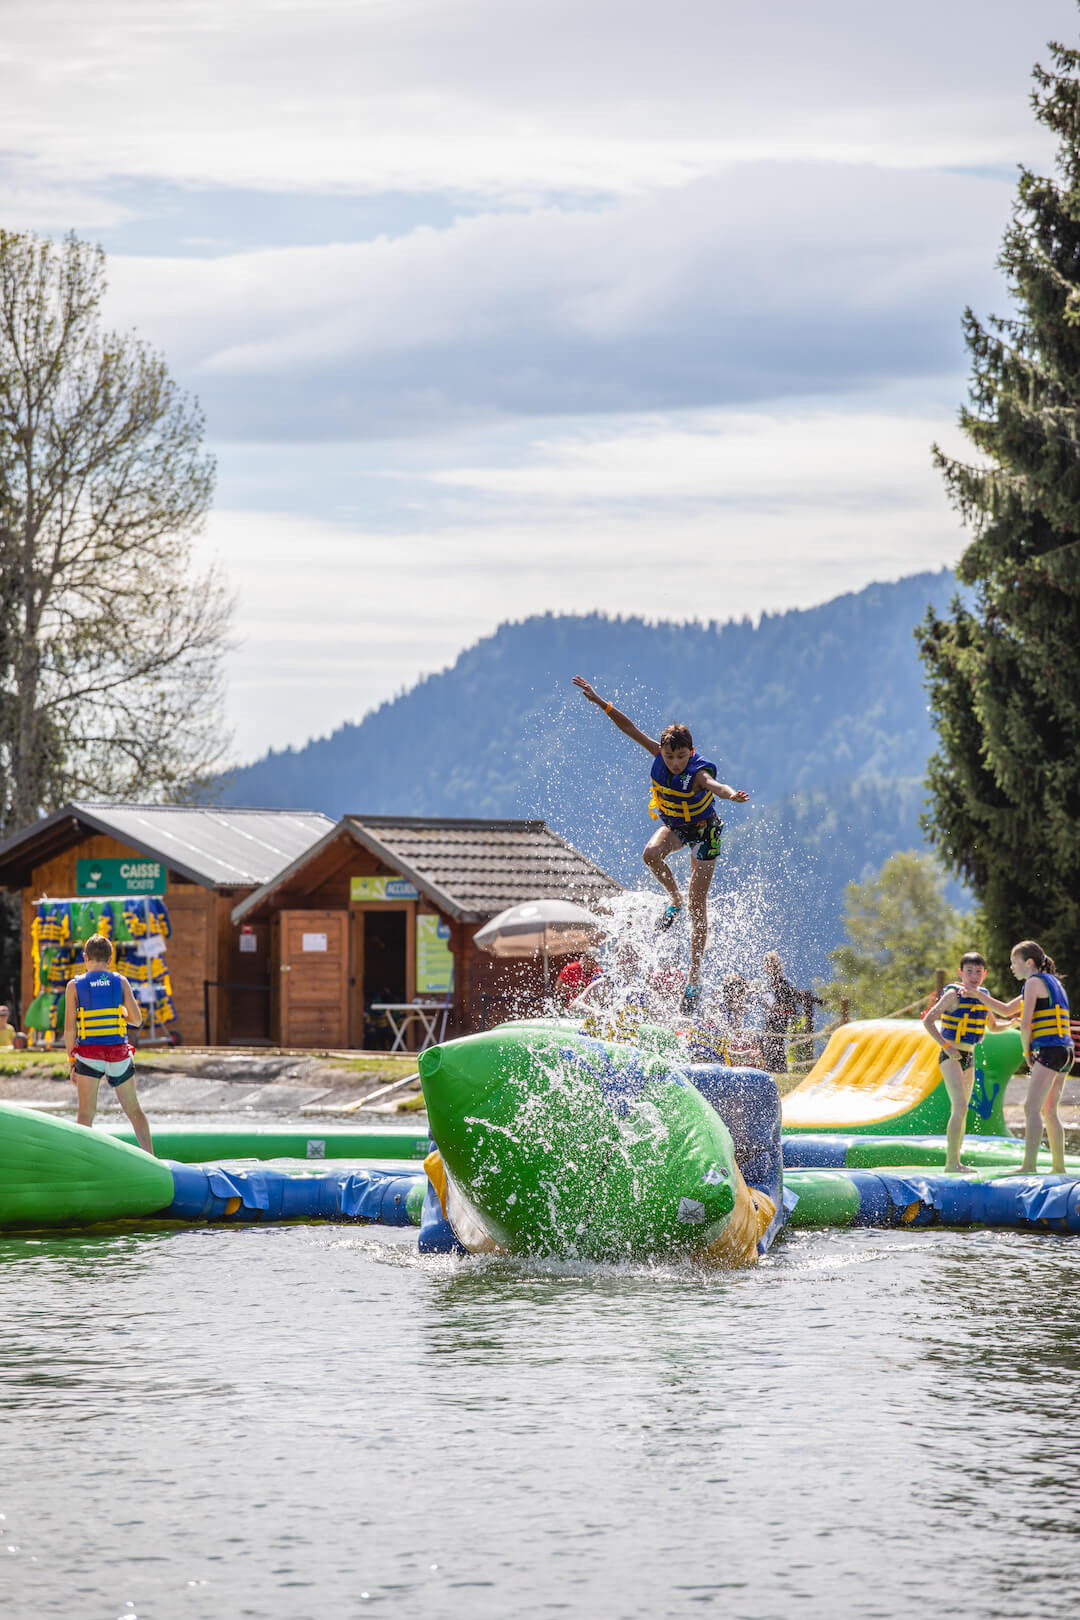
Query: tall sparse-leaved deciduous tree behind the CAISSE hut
{"x": 111, "y": 646}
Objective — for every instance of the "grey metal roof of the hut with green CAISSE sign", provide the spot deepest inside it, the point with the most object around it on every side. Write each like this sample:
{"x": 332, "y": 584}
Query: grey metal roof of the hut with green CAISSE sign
{"x": 215, "y": 848}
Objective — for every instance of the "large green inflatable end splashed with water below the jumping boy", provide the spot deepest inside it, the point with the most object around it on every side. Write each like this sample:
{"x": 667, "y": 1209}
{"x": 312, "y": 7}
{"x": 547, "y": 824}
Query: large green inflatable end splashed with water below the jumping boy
{"x": 558, "y": 1145}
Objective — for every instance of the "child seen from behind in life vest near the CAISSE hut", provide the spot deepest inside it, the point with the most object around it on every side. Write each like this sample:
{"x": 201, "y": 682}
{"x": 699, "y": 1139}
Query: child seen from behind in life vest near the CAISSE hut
{"x": 98, "y": 1010}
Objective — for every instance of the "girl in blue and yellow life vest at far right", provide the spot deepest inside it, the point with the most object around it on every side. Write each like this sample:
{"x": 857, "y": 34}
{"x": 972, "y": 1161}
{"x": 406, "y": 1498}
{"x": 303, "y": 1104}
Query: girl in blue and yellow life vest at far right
{"x": 1048, "y": 1051}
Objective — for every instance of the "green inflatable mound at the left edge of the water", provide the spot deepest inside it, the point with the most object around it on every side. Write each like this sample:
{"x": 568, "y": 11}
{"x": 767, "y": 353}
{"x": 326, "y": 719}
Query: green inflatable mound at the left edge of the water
{"x": 56, "y": 1174}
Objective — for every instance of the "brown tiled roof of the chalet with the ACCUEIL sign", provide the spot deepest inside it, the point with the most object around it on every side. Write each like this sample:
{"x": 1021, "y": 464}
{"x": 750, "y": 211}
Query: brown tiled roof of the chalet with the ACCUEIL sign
{"x": 470, "y": 869}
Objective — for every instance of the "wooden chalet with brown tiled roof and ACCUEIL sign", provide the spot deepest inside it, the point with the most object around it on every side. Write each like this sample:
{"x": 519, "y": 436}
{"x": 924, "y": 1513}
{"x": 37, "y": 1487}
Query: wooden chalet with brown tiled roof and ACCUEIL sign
{"x": 385, "y": 910}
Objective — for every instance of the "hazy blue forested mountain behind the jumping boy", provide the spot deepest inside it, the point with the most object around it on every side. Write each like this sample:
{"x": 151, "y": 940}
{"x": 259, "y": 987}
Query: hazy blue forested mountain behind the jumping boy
{"x": 819, "y": 714}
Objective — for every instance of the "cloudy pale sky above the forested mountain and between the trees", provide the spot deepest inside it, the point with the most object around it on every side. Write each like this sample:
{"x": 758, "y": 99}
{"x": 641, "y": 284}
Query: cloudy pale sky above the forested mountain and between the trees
{"x": 500, "y": 307}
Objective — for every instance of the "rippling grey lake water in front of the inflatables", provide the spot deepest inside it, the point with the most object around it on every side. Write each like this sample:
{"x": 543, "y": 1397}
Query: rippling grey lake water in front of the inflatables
{"x": 315, "y": 1425}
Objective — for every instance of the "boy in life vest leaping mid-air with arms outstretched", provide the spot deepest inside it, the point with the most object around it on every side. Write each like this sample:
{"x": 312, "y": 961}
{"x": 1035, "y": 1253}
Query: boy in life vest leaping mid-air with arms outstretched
{"x": 684, "y": 790}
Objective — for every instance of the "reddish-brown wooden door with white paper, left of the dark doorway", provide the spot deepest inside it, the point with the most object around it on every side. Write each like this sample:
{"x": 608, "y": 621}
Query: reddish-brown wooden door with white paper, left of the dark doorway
{"x": 315, "y": 979}
